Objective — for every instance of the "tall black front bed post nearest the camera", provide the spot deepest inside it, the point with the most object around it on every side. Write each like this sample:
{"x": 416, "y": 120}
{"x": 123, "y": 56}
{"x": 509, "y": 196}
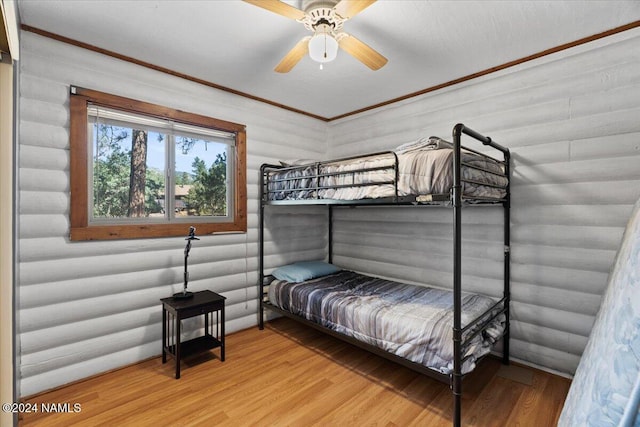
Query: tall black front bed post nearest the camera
{"x": 456, "y": 384}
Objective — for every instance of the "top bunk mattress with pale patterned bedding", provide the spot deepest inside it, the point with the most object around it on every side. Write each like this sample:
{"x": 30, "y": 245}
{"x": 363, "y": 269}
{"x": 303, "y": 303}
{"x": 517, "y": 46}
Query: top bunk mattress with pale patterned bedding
{"x": 425, "y": 168}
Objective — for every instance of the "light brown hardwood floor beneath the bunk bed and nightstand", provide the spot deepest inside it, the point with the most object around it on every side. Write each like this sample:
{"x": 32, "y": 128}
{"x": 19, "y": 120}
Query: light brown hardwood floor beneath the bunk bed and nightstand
{"x": 292, "y": 375}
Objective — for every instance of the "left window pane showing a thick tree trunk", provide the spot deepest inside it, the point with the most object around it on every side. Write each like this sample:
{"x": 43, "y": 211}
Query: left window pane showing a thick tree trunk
{"x": 128, "y": 172}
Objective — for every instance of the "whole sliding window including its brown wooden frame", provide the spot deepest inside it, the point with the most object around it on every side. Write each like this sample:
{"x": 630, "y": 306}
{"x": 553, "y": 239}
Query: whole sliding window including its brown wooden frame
{"x": 142, "y": 170}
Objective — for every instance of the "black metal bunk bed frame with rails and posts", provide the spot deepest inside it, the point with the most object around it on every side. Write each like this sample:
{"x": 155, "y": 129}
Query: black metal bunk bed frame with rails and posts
{"x": 456, "y": 200}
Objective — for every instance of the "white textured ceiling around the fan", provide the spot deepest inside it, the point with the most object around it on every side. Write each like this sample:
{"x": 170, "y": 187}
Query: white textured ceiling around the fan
{"x": 237, "y": 45}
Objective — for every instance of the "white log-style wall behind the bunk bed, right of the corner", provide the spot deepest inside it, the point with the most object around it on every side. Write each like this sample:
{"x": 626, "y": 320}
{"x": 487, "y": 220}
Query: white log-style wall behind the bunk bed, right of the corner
{"x": 571, "y": 121}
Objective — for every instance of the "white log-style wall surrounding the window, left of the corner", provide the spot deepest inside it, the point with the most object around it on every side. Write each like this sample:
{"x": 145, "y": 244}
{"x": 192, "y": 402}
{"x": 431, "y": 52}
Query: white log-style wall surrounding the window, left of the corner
{"x": 88, "y": 307}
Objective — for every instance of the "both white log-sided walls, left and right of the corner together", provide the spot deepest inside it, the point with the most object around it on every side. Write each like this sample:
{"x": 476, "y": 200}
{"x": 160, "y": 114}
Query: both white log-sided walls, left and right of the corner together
{"x": 570, "y": 119}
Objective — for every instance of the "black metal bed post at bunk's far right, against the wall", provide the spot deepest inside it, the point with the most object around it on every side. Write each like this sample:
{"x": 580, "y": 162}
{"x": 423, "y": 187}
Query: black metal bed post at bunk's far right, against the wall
{"x": 507, "y": 258}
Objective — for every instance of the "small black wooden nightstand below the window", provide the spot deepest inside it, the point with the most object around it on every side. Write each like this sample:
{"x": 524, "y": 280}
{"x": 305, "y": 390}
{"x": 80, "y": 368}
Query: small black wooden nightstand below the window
{"x": 204, "y": 303}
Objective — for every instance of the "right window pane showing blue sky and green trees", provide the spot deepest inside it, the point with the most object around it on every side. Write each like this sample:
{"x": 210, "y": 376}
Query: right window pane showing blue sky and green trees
{"x": 201, "y": 178}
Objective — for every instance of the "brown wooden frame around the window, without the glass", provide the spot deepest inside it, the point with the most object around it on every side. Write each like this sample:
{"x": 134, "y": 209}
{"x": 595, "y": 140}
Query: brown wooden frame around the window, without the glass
{"x": 79, "y": 185}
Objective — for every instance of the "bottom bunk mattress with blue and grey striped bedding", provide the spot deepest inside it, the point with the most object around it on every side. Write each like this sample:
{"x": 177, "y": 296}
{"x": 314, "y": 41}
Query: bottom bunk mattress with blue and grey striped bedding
{"x": 410, "y": 321}
